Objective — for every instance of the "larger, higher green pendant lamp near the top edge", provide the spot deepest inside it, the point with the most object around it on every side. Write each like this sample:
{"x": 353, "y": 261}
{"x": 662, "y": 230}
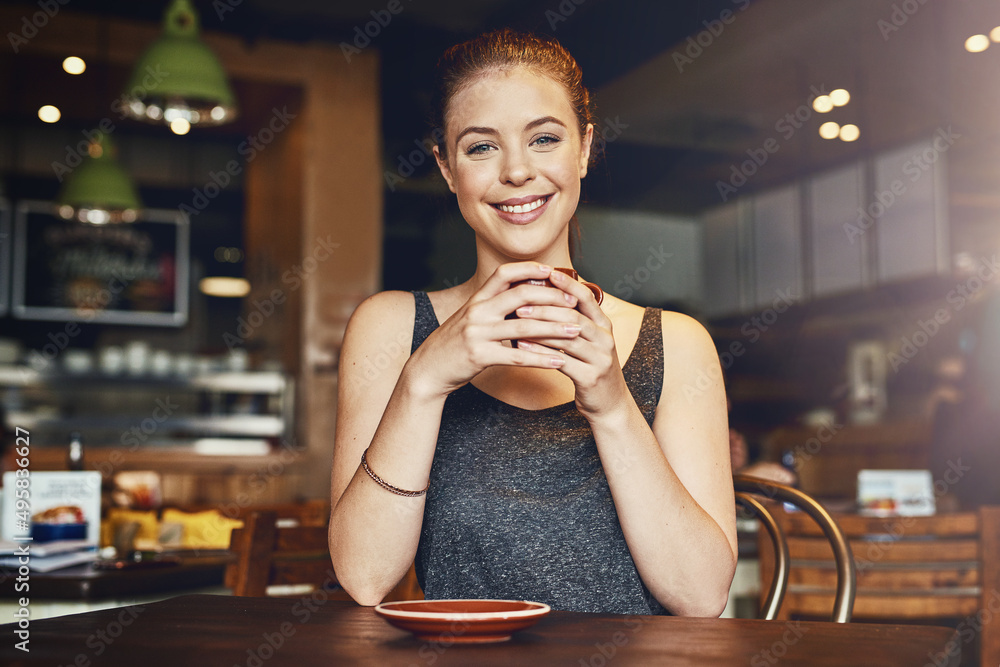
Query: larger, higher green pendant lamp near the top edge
{"x": 178, "y": 80}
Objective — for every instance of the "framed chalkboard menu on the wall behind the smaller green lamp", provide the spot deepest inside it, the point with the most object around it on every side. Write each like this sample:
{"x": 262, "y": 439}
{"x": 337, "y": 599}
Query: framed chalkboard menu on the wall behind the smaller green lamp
{"x": 128, "y": 273}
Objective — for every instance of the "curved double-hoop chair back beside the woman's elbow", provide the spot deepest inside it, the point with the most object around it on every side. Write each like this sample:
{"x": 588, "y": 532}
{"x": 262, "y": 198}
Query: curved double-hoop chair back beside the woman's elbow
{"x": 748, "y": 490}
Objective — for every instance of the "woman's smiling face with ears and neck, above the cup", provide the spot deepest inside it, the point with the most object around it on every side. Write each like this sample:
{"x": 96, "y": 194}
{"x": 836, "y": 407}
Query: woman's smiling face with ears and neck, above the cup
{"x": 515, "y": 160}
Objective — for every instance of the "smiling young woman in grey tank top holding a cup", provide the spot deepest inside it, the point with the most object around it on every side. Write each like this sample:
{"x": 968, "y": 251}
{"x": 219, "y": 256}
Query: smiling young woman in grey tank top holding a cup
{"x": 586, "y": 467}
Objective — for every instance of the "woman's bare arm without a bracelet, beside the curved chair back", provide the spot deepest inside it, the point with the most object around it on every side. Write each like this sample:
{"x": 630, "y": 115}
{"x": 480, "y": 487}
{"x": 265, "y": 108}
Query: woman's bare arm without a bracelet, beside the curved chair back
{"x": 674, "y": 494}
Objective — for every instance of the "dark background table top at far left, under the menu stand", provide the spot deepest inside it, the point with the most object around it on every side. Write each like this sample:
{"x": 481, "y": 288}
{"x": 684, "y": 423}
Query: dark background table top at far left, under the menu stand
{"x": 85, "y": 582}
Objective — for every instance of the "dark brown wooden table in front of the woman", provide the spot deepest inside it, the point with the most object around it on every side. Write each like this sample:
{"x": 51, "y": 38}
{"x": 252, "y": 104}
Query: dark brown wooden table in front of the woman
{"x": 214, "y": 631}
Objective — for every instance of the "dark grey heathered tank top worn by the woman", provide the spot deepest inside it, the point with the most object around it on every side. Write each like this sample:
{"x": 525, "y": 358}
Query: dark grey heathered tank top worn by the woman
{"x": 519, "y": 506}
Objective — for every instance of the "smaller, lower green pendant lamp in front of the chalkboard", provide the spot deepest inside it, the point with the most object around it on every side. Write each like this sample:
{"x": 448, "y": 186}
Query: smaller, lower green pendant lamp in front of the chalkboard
{"x": 99, "y": 191}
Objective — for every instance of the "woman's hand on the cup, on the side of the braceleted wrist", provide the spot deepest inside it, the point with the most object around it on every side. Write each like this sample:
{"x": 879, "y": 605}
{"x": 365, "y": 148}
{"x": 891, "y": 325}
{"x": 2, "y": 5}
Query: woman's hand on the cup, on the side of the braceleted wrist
{"x": 477, "y": 335}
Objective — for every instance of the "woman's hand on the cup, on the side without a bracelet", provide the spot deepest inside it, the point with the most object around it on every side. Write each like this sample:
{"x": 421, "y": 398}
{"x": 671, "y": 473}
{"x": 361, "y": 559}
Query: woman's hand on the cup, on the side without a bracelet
{"x": 591, "y": 358}
